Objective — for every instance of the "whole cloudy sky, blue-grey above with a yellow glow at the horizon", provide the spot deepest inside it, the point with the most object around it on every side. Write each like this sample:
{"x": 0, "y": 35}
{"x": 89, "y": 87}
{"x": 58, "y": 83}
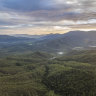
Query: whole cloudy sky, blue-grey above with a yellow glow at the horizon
{"x": 46, "y": 16}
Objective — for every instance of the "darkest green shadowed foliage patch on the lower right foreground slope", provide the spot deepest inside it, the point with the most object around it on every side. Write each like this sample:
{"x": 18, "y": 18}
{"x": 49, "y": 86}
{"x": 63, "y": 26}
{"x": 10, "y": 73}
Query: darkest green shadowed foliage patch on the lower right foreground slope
{"x": 72, "y": 82}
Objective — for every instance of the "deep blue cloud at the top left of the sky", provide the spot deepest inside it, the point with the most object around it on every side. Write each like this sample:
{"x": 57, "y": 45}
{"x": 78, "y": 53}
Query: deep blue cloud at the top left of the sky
{"x": 27, "y": 5}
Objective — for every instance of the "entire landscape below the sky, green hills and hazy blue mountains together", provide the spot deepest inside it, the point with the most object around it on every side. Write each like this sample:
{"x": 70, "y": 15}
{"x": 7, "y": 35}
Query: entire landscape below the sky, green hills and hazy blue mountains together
{"x": 48, "y": 67}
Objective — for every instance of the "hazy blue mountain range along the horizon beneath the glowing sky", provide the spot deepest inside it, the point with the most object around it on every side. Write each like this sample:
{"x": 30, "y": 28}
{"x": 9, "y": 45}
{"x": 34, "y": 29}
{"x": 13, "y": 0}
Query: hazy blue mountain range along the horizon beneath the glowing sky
{"x": 74, "y": 40}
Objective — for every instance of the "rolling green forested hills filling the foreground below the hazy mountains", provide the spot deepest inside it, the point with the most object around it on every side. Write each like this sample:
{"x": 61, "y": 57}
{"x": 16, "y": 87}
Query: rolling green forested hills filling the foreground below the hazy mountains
{"x": 39, "y": 74}
